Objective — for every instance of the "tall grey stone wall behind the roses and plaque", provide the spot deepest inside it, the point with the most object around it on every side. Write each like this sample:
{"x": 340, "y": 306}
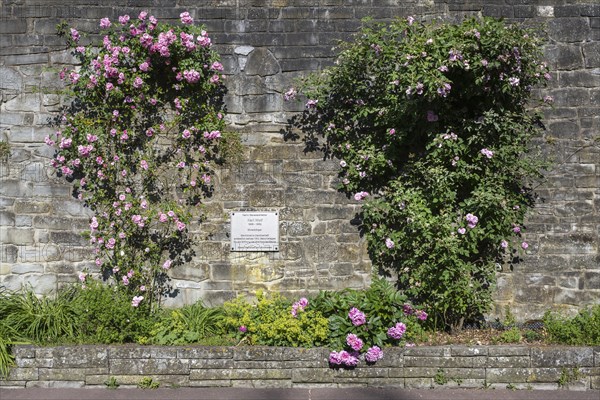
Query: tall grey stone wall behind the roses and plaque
{"x": 265, "y": 46}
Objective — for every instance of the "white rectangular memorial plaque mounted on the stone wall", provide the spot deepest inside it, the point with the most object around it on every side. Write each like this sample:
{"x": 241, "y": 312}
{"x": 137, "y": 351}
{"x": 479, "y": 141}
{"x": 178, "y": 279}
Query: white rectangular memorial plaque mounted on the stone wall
{"x": 254, "y": 231}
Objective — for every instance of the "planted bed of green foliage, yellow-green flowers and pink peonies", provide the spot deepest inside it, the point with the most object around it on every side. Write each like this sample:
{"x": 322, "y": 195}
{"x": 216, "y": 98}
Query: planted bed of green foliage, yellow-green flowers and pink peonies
{"x": 98, "y": 314}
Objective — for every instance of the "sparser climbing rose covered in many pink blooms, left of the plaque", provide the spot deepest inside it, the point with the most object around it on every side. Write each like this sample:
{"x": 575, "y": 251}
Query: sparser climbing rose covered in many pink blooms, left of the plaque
{"x": 140, "y": 142}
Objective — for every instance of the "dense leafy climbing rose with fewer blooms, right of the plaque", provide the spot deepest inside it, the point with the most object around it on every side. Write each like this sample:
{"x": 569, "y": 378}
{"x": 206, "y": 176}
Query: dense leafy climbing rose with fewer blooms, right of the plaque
{"x": 433, "y": 133}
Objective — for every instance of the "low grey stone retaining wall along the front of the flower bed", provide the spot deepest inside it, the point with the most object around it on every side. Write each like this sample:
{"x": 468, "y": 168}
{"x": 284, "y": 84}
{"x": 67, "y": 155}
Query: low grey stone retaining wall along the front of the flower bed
{"x": 519, "y": 367}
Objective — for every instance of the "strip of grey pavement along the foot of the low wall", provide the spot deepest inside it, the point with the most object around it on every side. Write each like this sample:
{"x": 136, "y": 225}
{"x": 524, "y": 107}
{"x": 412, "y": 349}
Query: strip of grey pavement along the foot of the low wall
{"x": 293, "y": 394}
